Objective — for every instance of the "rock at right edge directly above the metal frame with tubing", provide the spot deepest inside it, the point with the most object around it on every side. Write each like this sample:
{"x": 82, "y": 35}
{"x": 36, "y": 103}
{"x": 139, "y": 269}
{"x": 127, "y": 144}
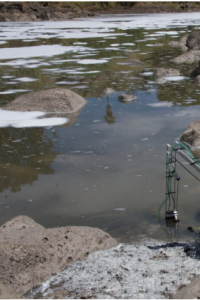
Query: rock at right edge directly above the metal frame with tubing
{"x": 191, "y": 135}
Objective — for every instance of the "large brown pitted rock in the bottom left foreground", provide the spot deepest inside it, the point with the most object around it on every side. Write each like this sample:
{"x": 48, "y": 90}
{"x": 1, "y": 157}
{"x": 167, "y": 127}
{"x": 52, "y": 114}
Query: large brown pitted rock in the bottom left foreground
{"x": 30, "y": 254}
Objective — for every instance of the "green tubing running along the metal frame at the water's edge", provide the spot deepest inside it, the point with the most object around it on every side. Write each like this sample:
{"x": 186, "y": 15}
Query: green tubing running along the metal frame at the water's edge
{"x": 168, "y": 166}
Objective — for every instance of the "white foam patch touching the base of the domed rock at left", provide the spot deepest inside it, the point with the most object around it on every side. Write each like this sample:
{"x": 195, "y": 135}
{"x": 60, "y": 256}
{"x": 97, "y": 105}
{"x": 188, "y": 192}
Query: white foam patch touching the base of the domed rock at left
{"x": 28, "y": 119}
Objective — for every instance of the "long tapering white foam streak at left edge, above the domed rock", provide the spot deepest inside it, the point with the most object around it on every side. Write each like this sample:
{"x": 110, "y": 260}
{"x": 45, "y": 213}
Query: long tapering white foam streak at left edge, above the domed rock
{"x": 37, "y": 51}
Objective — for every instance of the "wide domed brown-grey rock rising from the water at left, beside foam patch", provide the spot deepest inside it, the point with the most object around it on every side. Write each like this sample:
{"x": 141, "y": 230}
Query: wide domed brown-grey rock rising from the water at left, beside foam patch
{"x": 52, "y": 100}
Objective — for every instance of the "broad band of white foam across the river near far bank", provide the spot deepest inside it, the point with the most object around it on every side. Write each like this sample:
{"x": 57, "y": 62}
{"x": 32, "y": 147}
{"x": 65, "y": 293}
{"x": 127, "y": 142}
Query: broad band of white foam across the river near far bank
{"x": 96, "y": 27}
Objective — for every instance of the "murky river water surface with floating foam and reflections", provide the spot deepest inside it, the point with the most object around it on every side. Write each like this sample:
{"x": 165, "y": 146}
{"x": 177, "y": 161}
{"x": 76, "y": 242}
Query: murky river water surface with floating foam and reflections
{"x": 105, "y": 165}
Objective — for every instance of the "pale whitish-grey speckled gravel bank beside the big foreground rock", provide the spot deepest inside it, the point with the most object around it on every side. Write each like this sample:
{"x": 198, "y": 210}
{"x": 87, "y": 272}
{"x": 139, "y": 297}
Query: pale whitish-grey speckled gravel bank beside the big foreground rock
{"x": 150, "y": 270}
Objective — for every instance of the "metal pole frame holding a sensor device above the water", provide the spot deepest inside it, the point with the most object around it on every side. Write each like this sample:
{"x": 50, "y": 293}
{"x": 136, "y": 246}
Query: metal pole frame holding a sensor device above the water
{"x": 173, "y": 178}
